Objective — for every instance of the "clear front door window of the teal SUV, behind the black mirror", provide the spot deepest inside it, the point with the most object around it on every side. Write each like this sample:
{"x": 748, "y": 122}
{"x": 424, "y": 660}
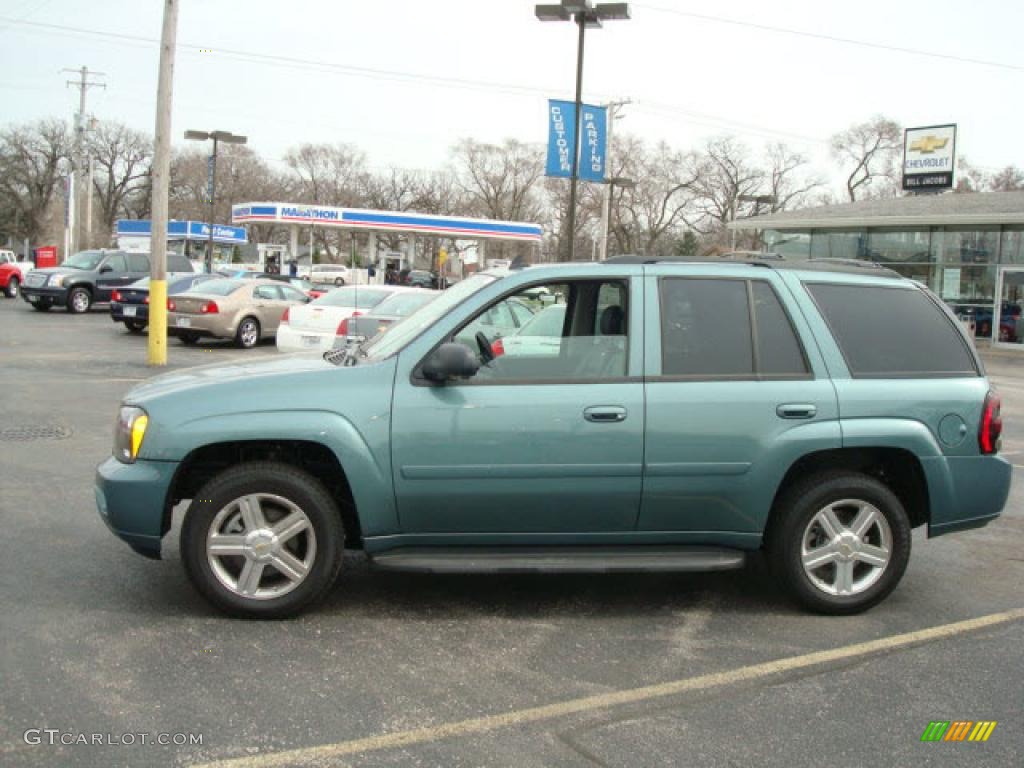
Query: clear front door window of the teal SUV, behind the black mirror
{"x": 581, "y": 338}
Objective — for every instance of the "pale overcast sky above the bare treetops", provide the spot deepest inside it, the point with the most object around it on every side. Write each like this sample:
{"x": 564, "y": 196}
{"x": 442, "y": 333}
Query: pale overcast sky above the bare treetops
{"x": 405, "y": 79}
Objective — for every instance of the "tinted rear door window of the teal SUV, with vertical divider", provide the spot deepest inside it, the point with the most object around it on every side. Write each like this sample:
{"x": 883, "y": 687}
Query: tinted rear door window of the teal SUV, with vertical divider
{"x": 707, "y": 331}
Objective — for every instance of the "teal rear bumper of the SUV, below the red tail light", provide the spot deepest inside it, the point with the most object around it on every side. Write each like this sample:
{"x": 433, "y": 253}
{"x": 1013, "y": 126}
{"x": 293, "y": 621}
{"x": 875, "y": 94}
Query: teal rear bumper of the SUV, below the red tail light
{"x": 966, "y": 492}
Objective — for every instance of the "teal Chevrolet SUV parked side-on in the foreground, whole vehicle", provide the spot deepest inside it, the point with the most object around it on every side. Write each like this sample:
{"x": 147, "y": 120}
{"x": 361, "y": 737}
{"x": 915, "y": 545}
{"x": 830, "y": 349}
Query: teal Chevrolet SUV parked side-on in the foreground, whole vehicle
{"x": 687, "y": 415}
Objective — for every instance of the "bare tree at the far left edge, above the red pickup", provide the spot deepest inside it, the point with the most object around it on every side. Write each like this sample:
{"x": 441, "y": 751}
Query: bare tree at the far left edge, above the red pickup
{"x": 32, "y": 158}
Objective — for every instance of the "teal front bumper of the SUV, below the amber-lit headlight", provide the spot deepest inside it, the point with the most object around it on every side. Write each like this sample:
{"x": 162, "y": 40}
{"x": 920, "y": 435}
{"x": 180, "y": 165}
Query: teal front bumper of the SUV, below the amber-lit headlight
{"x": 132, "y": 499}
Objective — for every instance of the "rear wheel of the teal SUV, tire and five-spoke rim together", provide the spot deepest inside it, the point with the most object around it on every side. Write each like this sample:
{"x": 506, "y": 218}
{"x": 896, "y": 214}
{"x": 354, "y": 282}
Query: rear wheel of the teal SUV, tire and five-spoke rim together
{"x": 841, "y": 542}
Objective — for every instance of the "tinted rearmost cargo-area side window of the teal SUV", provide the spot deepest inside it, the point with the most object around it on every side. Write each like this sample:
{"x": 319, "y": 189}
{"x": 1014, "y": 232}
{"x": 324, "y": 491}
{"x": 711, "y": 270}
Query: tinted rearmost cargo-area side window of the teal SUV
{"x": 892, "y": 332}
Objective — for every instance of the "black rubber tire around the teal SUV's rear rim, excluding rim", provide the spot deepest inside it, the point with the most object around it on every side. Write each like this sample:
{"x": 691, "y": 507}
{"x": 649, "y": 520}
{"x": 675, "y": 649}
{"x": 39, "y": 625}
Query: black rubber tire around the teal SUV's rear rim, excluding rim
{"x": 793, "y": 515}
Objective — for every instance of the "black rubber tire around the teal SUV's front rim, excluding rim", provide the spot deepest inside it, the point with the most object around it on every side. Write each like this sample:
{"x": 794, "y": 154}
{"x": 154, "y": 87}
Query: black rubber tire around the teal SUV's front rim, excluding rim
{"x": 284, "y": 481}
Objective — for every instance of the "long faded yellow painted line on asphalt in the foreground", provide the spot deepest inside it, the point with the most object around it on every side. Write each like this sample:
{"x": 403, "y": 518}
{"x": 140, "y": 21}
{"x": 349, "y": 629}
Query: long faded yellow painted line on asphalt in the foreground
{"x": 616, "y": 699}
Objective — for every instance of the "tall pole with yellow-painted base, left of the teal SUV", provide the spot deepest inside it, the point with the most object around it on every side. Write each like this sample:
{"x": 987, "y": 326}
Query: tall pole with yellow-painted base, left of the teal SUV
{"x": 161, "y": 184}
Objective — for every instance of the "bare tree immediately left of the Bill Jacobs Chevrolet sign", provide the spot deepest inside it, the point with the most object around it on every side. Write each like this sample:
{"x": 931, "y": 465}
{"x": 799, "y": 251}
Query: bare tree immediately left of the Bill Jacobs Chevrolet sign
{"x": 871, "y": 153}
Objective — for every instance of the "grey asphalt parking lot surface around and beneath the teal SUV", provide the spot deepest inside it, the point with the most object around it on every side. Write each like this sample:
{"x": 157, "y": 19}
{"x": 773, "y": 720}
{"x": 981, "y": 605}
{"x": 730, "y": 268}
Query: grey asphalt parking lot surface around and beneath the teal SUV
{"x": 462, "y": 671}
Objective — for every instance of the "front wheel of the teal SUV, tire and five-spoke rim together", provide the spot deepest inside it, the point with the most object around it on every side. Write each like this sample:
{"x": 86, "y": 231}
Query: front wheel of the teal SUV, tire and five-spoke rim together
{"x": 263, "y": 541}
